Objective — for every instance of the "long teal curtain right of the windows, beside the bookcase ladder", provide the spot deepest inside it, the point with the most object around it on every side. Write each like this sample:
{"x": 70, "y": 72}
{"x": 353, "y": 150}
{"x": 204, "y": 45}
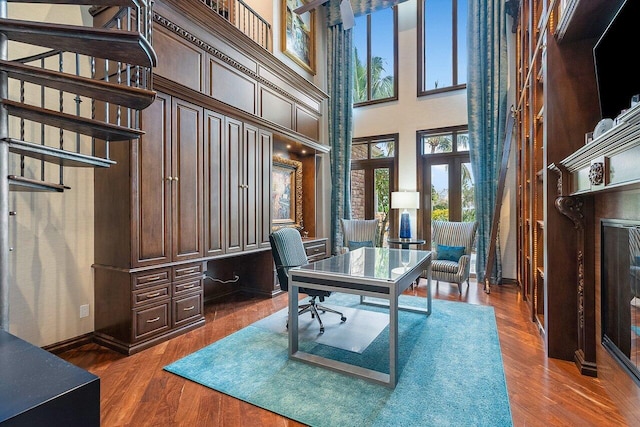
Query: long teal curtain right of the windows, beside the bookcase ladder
{"x": 487, "y": 109}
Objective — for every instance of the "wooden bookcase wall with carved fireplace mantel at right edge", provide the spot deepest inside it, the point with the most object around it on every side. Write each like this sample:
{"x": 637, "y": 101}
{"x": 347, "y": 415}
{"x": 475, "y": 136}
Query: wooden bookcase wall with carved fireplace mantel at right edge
{"x": 571, "y": 182}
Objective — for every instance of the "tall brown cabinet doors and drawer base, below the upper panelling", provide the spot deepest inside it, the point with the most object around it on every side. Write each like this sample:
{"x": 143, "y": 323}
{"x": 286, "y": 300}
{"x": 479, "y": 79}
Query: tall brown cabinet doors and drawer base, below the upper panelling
{"x": 194, "y": 188}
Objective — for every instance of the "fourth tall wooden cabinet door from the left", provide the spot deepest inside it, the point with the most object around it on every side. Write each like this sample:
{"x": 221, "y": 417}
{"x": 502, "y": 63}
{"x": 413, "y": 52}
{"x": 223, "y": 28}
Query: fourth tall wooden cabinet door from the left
{"x": 234, "y": 160}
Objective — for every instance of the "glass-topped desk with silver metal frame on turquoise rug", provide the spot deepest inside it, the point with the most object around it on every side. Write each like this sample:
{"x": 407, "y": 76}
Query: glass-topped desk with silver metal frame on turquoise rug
{"x": 381, "y": 273}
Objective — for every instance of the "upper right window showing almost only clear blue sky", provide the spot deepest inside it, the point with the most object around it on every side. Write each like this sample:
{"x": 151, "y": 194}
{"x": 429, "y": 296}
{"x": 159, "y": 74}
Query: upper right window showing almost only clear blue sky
{"x": 442, "y": 45}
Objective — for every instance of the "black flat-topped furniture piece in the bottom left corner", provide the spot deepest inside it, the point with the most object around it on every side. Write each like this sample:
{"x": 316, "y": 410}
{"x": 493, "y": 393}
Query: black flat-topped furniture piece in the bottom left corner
{"x": 38, "y": 388}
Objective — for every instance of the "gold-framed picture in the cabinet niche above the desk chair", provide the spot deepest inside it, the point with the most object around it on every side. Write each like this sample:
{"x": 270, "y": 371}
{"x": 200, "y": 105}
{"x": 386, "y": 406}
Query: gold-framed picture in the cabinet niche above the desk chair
{"x": 286, "y": 193}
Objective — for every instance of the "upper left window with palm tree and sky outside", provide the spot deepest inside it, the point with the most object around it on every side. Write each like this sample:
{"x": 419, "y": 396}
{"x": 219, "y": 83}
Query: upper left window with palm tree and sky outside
{"x": 375, "y": 45}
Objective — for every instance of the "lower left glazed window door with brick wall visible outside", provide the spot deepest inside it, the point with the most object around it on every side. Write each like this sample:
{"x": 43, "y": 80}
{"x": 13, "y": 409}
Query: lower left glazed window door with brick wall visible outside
{"x": 373, "y": 166}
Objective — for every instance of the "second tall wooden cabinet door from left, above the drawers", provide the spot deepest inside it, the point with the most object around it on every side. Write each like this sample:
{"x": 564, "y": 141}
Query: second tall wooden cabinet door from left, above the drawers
{"x": 187, "y": 180}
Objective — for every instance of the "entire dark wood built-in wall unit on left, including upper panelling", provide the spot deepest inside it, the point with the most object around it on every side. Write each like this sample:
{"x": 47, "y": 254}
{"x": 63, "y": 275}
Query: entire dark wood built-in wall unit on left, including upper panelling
{"x": 187, "y": 206}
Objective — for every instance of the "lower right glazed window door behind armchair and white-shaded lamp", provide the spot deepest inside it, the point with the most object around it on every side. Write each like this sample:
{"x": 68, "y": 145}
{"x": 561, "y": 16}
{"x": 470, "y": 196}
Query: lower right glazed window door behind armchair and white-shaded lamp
{"x": 445, "y": 177}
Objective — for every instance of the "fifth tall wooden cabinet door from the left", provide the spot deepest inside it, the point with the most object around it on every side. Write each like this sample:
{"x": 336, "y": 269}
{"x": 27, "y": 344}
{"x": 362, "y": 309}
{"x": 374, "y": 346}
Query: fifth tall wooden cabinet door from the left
{"x": 252, "y": 186}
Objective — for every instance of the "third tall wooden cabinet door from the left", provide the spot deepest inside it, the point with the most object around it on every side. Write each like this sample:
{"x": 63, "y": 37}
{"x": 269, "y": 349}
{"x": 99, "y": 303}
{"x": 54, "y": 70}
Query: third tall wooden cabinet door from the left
{"x": 214, "y": 170}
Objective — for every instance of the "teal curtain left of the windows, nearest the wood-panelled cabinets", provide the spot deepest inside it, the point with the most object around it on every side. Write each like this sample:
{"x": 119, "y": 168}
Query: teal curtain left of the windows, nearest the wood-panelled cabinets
{"x": 340, "y": 62}
